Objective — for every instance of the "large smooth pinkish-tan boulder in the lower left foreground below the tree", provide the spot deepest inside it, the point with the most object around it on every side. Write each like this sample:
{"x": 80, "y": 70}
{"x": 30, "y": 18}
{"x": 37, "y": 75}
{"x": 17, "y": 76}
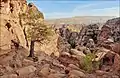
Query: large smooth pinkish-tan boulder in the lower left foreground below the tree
{"x": 25, "y": 70}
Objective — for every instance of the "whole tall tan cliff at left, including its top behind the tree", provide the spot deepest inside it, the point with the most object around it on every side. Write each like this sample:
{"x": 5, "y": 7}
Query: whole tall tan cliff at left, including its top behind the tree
{"x": 12, "y": 25}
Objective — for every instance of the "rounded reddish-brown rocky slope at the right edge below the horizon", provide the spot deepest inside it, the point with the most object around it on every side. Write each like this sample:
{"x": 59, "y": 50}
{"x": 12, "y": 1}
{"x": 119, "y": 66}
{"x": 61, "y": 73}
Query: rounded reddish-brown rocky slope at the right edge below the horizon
{"x": 110, "y": 35}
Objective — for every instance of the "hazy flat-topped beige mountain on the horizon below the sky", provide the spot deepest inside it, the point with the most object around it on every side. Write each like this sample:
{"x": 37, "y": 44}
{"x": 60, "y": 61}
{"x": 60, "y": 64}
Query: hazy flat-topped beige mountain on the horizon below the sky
{"x": 80, "y": 20}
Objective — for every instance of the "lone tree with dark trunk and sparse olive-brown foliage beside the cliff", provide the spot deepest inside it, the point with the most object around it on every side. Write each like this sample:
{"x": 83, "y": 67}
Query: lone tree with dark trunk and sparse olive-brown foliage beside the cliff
{"x": 37, "y": 30}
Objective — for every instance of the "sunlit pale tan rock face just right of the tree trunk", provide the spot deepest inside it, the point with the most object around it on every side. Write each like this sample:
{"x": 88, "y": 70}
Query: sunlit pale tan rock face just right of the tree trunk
{"x": 49, "y": 47}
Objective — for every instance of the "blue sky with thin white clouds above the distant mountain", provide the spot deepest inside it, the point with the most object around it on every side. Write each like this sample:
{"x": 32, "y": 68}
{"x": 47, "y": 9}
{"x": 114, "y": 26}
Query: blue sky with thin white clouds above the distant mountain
{"x": 54, "y": 9}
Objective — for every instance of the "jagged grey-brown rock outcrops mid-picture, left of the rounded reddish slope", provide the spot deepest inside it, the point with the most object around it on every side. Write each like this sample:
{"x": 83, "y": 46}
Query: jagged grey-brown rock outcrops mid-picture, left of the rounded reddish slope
{"x": 86, "y": 37}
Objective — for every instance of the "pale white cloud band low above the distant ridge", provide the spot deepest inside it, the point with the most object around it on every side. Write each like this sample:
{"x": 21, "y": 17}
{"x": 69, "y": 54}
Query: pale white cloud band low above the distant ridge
{"x": 113, "y": 11}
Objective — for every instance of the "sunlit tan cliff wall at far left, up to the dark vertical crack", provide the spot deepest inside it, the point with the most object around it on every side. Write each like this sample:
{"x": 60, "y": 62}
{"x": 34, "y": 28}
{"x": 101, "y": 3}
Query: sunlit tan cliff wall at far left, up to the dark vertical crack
{"x": 10, "y": 26}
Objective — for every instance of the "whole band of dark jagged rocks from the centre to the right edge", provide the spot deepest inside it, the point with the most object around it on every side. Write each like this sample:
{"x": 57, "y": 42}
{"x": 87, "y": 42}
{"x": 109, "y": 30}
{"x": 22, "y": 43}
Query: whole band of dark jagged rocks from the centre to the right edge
{"x": 93, "y": 35}
